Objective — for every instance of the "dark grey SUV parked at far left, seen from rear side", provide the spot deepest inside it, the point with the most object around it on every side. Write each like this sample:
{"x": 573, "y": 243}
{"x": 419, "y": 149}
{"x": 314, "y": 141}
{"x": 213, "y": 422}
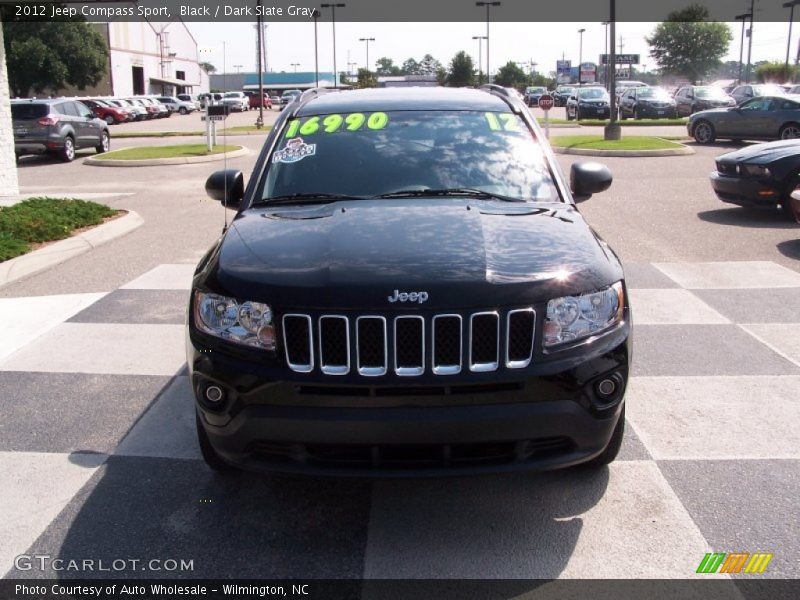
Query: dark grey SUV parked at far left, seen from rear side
{"x": 56, "y": 126}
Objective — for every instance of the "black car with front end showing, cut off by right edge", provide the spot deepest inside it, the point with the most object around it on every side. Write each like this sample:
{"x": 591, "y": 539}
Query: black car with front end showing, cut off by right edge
{"x": 761, "y": 175}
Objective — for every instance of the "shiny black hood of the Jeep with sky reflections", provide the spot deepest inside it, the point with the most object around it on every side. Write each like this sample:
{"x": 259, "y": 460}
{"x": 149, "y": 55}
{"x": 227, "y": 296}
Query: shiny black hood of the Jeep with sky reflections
{"x": 463, "y": 254}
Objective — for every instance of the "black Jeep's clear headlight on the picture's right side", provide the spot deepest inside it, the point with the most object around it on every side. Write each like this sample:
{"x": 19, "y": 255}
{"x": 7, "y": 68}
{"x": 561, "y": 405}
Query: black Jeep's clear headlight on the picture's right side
{"x": 572, "y": 318}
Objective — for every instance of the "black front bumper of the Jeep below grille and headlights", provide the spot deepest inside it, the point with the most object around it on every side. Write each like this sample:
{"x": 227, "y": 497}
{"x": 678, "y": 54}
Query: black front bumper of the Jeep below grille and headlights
{"x": 547, "y": 416}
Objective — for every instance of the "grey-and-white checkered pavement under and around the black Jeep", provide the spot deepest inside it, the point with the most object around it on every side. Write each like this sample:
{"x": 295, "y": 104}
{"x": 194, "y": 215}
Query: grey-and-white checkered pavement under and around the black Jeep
{"x": 99, "y": 459}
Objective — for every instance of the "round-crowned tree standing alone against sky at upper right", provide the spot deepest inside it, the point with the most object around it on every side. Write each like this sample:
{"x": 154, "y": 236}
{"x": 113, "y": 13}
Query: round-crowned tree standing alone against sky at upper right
{"x": 688, "y": 45}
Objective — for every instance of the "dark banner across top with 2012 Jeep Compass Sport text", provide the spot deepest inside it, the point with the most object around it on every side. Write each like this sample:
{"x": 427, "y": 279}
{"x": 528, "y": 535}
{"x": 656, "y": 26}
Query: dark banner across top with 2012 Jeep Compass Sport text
{"x": 381, "y": 10}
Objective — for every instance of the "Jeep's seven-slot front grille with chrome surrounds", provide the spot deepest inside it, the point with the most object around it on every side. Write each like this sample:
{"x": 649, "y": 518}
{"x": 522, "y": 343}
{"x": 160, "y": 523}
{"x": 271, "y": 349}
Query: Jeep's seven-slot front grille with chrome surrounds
{"x": 409, "y": 345}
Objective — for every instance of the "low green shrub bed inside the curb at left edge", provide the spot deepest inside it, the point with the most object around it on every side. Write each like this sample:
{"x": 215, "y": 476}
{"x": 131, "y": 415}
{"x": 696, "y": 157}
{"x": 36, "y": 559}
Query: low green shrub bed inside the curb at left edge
{"x": 44, "y": 219}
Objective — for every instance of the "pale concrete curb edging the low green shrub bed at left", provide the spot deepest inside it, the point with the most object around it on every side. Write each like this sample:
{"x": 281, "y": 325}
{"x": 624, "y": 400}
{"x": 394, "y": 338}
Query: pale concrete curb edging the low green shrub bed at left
{"x": 62, "y": 250}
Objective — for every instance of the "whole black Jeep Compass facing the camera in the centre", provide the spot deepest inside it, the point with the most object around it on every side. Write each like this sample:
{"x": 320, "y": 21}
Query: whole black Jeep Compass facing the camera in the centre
{"x": 407, "y": 288}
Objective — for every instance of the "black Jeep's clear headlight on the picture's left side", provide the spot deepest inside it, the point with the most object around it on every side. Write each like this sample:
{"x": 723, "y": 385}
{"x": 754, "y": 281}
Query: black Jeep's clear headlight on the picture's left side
{"x": 248, "y": 323}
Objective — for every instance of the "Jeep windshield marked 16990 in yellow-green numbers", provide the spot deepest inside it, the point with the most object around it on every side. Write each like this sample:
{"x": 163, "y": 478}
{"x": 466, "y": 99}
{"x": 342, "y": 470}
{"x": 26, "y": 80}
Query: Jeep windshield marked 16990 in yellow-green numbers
{"x": 371, "y": 154}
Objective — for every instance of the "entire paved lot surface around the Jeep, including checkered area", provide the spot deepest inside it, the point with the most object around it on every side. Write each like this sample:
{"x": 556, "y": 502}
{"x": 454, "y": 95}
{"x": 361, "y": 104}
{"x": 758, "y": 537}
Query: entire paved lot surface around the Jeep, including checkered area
{"x": 99, "y": 457}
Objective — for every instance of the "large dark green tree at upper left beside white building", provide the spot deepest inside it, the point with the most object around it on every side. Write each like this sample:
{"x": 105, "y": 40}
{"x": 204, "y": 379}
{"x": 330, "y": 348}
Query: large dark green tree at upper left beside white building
{"x": 49, "y": 55}
